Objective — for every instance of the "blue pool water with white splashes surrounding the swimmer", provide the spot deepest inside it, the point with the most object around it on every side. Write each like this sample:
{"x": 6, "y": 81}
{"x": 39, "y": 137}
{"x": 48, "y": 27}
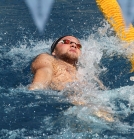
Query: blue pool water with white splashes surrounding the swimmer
{"x": 49, "y": 114}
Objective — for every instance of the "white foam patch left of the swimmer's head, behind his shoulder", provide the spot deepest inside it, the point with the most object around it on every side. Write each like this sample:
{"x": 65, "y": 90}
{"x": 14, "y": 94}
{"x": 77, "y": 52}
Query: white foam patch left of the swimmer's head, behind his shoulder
{"x": 22, "y": 54}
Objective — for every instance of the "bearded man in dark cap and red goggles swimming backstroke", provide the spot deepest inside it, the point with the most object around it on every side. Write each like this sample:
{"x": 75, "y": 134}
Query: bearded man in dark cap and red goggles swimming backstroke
{"x": 56, "y": 70}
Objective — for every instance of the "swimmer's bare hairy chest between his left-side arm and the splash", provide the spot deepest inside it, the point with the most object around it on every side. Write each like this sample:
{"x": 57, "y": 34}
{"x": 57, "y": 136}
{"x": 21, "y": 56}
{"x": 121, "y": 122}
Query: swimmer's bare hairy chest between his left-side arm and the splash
{"x": 63, "y": 73}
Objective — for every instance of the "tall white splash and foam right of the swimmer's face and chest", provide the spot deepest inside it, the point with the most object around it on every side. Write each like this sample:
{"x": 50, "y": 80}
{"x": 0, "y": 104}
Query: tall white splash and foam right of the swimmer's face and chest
{"x": 92, "y": 53}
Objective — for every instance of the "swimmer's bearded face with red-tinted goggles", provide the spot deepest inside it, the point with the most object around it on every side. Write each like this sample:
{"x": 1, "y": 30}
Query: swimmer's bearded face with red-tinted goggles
{"x": 69, "y": 47}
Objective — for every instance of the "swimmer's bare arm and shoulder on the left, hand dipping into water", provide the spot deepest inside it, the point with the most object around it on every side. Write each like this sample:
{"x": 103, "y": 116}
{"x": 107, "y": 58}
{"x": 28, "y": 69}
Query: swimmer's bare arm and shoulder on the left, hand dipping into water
{"x": 42, "y": 70}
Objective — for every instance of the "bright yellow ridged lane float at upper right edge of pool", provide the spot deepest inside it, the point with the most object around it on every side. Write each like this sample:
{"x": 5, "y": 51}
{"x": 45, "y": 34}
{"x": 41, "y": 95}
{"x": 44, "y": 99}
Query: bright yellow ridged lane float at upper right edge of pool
{"x": 113, "y": 13}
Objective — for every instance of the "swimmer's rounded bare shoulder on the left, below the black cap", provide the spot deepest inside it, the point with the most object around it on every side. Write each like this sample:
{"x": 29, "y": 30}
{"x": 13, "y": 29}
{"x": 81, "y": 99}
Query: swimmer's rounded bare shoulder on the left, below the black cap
{"x": 41, "y": 61}
